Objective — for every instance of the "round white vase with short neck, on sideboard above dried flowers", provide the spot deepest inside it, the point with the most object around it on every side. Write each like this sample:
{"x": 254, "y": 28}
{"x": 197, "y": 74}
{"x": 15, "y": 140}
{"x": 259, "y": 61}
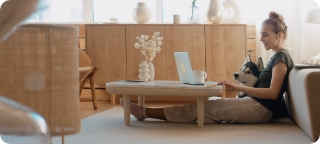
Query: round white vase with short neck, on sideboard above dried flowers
{"x": 141, "y": 14}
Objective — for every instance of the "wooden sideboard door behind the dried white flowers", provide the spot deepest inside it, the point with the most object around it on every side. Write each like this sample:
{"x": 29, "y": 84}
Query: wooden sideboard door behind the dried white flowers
{"x": 134, "y": 56}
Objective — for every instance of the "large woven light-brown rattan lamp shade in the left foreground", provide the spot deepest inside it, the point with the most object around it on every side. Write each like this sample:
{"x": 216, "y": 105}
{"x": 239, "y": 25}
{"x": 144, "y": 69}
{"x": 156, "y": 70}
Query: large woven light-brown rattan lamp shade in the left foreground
{"x": 39, "y": 69}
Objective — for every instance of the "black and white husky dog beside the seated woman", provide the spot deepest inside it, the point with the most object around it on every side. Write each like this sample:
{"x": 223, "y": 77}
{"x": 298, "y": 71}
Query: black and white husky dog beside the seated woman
{"x": 248, "y": 74}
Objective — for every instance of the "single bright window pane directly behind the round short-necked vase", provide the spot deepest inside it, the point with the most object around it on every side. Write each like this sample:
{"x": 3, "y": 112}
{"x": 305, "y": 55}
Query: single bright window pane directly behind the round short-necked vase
{"x": 103, "y": 10}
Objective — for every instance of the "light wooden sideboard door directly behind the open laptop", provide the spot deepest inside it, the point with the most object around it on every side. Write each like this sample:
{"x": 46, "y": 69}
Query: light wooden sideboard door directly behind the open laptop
{"x": 189, "y": 39}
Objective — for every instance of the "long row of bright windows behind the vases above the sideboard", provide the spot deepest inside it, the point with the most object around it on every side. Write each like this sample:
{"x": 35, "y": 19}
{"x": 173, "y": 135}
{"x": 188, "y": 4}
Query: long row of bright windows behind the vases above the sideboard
{"x": 102, "y": 10}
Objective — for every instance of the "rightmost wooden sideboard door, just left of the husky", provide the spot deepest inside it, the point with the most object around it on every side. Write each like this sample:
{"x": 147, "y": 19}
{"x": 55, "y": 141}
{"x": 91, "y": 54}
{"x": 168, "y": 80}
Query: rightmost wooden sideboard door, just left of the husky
{"x": 225, "y": 50}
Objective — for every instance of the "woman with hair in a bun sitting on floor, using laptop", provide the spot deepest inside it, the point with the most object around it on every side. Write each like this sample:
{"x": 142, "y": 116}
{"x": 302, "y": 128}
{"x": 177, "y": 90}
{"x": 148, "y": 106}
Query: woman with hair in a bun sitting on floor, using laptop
{"x": 260, "y": 104}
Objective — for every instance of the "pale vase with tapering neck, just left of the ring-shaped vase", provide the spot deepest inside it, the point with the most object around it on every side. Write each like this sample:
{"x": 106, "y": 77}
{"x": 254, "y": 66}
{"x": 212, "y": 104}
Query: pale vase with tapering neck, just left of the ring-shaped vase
{"x": 215, "y": 12}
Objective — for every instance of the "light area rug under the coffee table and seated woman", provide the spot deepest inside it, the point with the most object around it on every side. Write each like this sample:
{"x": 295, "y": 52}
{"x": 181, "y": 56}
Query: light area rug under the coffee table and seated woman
{"x": 108, "y": 128}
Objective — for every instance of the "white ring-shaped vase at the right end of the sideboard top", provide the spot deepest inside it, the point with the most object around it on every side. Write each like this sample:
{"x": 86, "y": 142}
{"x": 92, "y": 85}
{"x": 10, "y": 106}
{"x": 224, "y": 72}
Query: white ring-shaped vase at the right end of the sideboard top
{"x": 232, "y": 12}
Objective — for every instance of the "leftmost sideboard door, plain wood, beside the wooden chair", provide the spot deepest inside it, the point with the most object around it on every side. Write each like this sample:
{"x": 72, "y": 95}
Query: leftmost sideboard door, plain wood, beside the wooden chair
{"x": 106, "y": 49}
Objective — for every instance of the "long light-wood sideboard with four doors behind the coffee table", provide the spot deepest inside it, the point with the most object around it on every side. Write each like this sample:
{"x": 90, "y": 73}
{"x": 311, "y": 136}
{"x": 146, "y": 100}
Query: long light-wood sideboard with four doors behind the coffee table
{"x": 218, "y": 49}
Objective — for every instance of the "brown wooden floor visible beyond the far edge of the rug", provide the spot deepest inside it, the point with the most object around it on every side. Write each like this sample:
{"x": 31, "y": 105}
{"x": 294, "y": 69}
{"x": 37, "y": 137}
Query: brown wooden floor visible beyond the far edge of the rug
{"x": 86, "y": 108}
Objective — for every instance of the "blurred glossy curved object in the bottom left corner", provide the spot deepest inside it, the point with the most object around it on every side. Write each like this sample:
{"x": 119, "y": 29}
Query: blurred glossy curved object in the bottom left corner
{"x": 20, "y": 120}
